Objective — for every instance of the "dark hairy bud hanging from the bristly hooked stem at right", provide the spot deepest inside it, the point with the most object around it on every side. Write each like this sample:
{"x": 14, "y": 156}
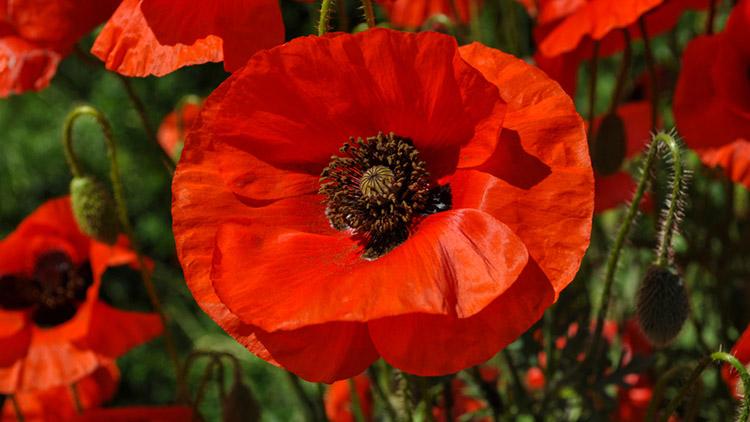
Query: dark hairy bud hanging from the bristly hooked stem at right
{"x": 662, "y": 305}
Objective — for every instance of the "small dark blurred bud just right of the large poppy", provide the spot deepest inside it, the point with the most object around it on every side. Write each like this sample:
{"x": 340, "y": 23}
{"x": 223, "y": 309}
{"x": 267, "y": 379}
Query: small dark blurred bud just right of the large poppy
{"x": 610, "y": 145}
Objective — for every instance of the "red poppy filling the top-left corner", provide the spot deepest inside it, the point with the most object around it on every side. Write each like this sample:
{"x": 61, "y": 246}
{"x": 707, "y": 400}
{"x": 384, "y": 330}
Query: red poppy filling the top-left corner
{"x": 35, "y": 35}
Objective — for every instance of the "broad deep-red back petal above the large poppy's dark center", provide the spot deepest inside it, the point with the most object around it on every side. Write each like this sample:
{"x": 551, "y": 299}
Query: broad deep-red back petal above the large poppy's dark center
{"x": 414, "y": 85}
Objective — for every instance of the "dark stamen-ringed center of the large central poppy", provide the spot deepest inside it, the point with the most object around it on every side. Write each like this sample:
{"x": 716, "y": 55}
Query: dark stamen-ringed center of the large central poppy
{"x": 378, "y": 190}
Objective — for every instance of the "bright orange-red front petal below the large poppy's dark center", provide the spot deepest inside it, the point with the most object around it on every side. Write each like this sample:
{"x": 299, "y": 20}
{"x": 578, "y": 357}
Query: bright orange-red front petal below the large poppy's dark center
{"x": 458, "y": 261}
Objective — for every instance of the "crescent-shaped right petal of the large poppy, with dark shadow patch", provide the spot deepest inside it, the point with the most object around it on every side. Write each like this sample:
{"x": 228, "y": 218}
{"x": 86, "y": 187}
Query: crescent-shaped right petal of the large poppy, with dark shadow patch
{"x": 553, "y": 183}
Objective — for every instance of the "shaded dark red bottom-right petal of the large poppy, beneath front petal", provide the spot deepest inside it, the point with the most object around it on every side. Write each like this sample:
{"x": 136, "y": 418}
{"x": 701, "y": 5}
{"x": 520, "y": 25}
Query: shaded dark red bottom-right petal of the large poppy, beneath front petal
{"x": 429, "y": 345}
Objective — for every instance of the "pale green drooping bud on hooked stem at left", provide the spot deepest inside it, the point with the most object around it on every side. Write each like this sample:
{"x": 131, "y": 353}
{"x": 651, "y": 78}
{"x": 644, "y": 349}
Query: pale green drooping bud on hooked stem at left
{"x": 94, "y": 209}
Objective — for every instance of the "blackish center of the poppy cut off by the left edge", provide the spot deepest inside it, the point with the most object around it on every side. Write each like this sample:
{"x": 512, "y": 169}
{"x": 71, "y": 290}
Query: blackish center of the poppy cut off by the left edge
{"x": 53, "y": 294}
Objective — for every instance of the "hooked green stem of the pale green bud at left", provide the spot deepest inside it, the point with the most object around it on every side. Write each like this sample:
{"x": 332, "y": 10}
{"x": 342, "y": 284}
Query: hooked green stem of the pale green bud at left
{"x": 122, "y": 216}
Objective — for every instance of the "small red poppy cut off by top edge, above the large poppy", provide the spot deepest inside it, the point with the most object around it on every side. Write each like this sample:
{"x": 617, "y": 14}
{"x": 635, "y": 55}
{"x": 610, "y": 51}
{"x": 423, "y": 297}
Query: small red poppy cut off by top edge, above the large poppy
{"x": 414, "y": 13}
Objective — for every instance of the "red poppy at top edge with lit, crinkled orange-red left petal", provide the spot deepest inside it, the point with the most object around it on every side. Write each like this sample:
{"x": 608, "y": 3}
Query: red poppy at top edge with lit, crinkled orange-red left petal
{"x": 156, "y": 37}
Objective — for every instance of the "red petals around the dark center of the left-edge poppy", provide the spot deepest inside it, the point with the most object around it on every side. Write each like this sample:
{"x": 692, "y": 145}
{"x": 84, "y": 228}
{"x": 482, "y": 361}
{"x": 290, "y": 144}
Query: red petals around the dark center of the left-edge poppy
{"x": 39, "y": 358}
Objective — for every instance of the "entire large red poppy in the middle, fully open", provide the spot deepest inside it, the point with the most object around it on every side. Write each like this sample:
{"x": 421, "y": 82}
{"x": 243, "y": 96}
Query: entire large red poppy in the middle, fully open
{"x": 329, "y": 280}
